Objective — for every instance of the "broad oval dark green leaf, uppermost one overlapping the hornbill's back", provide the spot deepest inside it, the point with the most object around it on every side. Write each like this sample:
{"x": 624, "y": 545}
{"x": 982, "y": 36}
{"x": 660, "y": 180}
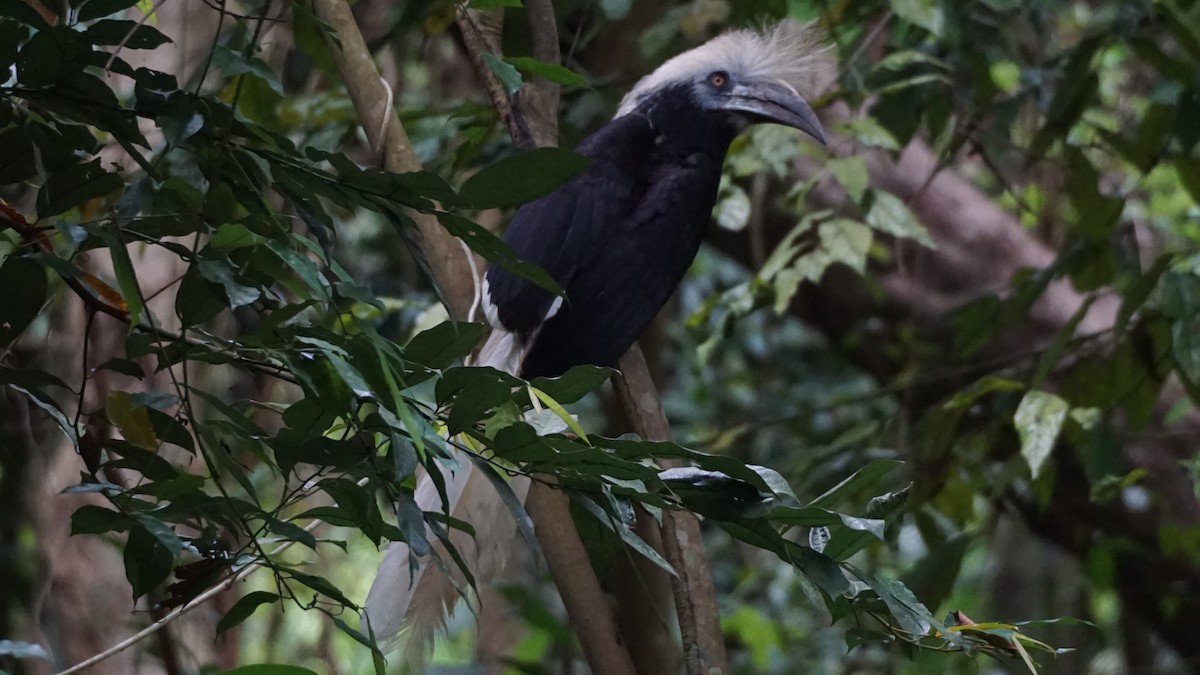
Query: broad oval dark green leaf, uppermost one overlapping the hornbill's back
{"x": 523, "y": 178}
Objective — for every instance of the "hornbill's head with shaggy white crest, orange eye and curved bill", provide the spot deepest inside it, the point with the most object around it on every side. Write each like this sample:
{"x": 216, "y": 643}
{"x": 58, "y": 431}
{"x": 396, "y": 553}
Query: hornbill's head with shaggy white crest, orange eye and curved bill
{"x": 754, "y": 75}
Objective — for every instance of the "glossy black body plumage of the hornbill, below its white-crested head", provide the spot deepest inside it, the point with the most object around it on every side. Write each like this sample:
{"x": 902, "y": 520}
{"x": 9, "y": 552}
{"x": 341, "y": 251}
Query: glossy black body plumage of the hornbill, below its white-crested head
{"x": 619, "y": 238}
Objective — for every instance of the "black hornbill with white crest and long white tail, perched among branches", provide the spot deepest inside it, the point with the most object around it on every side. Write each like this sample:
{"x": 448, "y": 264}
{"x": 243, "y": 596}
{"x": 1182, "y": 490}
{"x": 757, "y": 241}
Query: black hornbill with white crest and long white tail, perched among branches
{"x": 617, "y": 238}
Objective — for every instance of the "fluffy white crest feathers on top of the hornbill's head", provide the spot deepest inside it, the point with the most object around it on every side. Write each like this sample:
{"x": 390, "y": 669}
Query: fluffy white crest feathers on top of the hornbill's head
{"x": 789, "y": 51}
